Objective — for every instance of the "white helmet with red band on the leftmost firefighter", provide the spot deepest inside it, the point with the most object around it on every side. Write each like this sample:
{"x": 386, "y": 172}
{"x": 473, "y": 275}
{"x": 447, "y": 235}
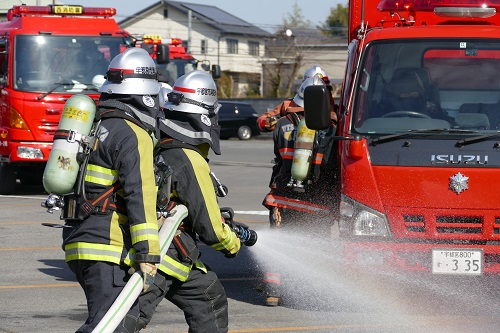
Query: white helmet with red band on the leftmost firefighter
{"x": 132, "y": 72}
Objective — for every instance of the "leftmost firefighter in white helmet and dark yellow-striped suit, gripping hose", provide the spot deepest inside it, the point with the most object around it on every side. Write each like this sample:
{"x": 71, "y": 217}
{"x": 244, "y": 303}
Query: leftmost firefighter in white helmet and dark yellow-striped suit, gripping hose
{"x": 120, "y": 183}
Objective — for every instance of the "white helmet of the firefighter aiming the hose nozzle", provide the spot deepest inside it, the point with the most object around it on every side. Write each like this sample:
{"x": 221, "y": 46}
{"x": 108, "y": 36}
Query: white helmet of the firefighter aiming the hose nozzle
{"x": 194, "y": 92}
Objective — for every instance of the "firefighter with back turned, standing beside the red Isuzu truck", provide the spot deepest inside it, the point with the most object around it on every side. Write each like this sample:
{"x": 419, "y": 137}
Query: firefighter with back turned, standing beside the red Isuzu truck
{"x": 285, "y": 203}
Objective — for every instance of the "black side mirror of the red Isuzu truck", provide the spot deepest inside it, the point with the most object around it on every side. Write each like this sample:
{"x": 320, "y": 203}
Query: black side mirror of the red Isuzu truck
{"x": 317, "y": 107}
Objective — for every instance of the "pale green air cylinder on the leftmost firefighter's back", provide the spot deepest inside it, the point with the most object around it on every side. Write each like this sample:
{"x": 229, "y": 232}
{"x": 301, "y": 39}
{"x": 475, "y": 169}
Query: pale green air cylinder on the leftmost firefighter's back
{"x": 61, "y": 171}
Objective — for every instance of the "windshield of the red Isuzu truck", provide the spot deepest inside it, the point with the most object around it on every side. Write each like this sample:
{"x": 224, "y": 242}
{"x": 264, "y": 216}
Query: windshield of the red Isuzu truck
{"x": 429, "y": 85}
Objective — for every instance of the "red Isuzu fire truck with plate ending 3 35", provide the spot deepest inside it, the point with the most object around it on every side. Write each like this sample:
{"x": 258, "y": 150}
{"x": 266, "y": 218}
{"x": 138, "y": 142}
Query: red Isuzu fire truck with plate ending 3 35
{"x": 419, "y": 136}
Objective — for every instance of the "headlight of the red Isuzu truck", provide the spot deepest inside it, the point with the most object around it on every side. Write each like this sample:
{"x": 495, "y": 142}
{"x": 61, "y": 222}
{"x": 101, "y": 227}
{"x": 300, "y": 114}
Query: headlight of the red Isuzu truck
{"x": 359, "y": 220}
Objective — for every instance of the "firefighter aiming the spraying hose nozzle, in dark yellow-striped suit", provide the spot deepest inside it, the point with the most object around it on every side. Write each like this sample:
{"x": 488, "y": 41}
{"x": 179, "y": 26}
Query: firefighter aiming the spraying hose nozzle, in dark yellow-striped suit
{"x": 190, "y": 129}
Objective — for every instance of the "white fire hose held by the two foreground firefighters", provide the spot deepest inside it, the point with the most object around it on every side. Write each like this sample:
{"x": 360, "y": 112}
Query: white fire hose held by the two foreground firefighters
{"x": 134, "y": 286}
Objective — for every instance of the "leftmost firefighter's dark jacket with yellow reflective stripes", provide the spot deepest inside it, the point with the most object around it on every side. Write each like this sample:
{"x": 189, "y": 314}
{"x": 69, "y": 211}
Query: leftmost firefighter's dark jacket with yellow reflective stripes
{"x": 124, "y": 153}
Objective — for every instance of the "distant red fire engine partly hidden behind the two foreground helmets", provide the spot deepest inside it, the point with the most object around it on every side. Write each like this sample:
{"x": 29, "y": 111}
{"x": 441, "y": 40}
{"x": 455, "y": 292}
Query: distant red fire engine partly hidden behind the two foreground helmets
{"x": 172, "y": 58}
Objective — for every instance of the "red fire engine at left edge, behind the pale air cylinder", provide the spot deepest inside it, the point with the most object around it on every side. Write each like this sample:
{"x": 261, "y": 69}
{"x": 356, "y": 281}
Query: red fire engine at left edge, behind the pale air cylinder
{"x": 47, "y": 54}
